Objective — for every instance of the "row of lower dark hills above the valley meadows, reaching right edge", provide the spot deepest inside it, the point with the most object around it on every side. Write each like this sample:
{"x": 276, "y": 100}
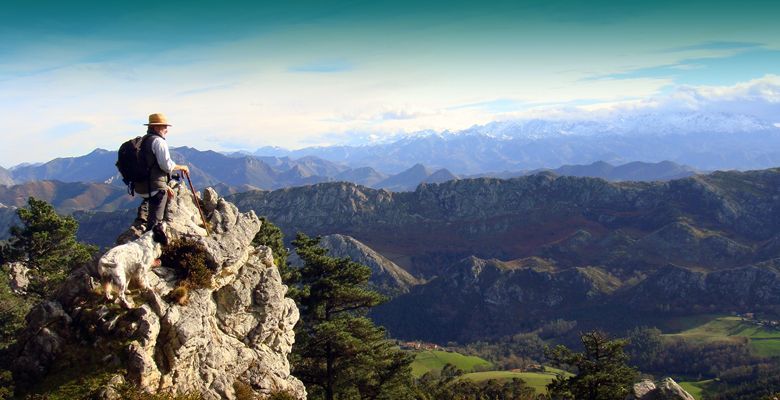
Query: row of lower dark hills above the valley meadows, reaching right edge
{"x": 478, "y": 299}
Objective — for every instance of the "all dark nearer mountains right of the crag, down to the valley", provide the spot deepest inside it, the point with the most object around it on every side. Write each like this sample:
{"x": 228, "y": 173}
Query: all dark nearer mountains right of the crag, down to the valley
{"x": 472, "y": 258}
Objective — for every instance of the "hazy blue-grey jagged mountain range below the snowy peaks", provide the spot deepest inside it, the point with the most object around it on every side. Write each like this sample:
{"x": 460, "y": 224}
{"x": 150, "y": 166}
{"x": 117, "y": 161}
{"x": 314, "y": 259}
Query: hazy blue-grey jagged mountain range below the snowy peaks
{"x": 230, "y": 174}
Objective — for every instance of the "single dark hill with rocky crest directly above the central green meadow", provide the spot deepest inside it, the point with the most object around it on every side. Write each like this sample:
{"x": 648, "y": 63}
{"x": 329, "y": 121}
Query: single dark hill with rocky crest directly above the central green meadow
{"x": 474, "y": 298}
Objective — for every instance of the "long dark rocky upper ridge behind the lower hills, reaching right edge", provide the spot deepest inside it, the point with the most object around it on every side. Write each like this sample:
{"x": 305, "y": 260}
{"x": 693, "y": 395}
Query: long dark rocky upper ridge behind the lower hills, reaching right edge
{"x": 710, "y": 221}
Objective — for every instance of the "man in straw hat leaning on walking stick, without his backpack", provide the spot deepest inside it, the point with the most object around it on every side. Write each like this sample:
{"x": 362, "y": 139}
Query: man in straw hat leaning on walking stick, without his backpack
{"x": 155, "y": 189}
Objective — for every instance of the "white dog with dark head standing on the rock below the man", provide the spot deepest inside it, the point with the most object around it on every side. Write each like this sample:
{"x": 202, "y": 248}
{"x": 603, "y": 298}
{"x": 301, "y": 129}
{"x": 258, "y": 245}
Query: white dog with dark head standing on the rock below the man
{"x": 130, "y": 261}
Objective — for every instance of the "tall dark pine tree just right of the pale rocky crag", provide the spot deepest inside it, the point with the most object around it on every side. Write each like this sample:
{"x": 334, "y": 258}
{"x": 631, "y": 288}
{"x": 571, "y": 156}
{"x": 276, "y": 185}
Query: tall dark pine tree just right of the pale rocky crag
{"x": 339, "y": 353}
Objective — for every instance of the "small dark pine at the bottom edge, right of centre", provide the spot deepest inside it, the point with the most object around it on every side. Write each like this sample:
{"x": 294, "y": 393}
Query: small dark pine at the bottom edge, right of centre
{"x": 602, "y": 372}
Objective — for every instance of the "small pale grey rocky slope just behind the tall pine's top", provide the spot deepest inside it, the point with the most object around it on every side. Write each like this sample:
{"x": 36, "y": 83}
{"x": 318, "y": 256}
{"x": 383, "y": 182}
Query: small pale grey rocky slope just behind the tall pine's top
{"x": 386, "y": 276}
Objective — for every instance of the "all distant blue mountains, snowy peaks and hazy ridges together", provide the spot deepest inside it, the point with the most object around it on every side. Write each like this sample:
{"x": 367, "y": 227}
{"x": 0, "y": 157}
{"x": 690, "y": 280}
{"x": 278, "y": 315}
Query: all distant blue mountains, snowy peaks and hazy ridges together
{"x": 703, "y": 141}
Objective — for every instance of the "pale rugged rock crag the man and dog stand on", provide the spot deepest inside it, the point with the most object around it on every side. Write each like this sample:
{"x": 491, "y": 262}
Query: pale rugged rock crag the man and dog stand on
{"x": 238, "y": 331}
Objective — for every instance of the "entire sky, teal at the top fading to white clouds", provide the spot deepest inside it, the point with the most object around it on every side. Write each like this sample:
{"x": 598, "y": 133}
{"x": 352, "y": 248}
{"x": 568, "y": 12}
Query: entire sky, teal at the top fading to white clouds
{"x": 79, "y": 75}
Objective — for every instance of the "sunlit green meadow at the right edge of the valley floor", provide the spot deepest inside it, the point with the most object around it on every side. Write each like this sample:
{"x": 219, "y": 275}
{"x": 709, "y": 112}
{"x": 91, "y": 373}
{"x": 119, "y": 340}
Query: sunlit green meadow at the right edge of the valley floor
{"x": 763, "y": 341}
